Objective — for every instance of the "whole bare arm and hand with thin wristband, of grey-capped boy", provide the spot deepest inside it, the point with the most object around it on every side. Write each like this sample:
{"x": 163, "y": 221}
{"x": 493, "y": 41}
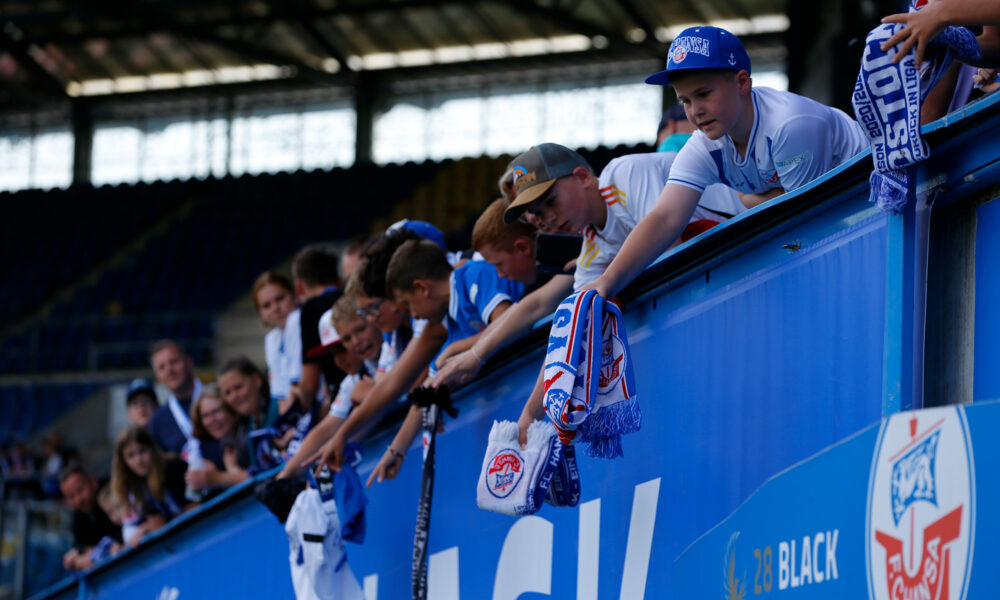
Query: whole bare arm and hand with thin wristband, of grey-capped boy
{"x": 509, "y": 326}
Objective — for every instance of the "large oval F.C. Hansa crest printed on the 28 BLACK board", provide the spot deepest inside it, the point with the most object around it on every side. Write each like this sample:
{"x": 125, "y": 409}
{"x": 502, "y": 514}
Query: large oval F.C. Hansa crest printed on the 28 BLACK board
{"x": 921, "y": 507}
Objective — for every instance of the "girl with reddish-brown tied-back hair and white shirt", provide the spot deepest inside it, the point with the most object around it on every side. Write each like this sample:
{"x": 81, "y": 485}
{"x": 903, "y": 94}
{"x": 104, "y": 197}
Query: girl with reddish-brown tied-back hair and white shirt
{"x": 274, "y": 298}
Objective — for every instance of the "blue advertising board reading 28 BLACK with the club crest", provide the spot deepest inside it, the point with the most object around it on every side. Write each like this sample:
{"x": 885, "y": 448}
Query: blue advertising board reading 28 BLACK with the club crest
{"x": 897, "y": 511}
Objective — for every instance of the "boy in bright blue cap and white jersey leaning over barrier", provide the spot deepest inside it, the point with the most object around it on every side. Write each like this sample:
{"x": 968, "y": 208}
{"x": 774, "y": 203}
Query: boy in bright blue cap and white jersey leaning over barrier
{"x": 759, "y": 141}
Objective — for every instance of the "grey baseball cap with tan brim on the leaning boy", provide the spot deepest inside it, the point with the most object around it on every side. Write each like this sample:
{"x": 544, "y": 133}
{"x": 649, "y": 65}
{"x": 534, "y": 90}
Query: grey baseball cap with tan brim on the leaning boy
{"x": 536, "y": 170}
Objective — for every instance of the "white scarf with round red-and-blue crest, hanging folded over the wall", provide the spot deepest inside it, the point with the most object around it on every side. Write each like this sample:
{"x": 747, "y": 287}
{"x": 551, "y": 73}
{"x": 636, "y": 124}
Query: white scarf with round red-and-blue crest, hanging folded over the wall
{"x": 515, "y": 480}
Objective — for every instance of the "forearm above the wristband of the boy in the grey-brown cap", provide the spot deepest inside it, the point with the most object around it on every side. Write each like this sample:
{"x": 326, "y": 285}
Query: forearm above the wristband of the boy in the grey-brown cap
{"x": 517, "y": 319}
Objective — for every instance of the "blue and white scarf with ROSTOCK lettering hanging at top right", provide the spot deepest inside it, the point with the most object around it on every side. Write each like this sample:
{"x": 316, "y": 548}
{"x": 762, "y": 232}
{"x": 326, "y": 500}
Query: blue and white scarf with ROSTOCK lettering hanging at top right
{"x": 887, "y": 99}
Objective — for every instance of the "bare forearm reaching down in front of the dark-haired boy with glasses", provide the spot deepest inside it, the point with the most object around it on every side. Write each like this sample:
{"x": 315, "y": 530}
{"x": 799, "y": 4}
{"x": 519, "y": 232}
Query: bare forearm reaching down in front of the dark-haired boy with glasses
{"x": 418, "y": 354}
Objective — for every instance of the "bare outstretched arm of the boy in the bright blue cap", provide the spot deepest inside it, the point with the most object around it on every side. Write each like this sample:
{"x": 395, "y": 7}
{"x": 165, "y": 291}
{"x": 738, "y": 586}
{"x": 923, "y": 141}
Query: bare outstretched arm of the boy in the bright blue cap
{"x": 651, "y": 237}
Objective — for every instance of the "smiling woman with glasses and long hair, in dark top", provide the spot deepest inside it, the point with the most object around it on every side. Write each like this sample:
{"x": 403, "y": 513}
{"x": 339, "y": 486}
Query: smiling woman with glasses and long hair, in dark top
{"x": 223, "y": 440}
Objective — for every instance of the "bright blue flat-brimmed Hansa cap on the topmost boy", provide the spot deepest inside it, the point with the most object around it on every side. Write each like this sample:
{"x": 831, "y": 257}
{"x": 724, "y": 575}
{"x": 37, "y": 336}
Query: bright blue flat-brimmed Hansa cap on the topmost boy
{"x": 703, "y": 47}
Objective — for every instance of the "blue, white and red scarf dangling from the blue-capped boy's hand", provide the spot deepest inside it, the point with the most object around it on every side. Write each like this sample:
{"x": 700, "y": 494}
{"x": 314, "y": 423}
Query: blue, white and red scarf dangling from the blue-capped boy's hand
{"x": 589, "y": 384}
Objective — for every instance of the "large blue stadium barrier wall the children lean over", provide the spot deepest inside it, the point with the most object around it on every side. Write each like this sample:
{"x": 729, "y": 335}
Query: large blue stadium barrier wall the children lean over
{"x": 757, "y": 345}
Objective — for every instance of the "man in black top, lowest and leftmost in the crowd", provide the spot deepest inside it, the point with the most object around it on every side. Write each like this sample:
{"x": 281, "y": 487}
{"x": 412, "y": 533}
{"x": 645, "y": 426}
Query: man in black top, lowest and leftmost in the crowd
{"x": 91, "y": 523}
